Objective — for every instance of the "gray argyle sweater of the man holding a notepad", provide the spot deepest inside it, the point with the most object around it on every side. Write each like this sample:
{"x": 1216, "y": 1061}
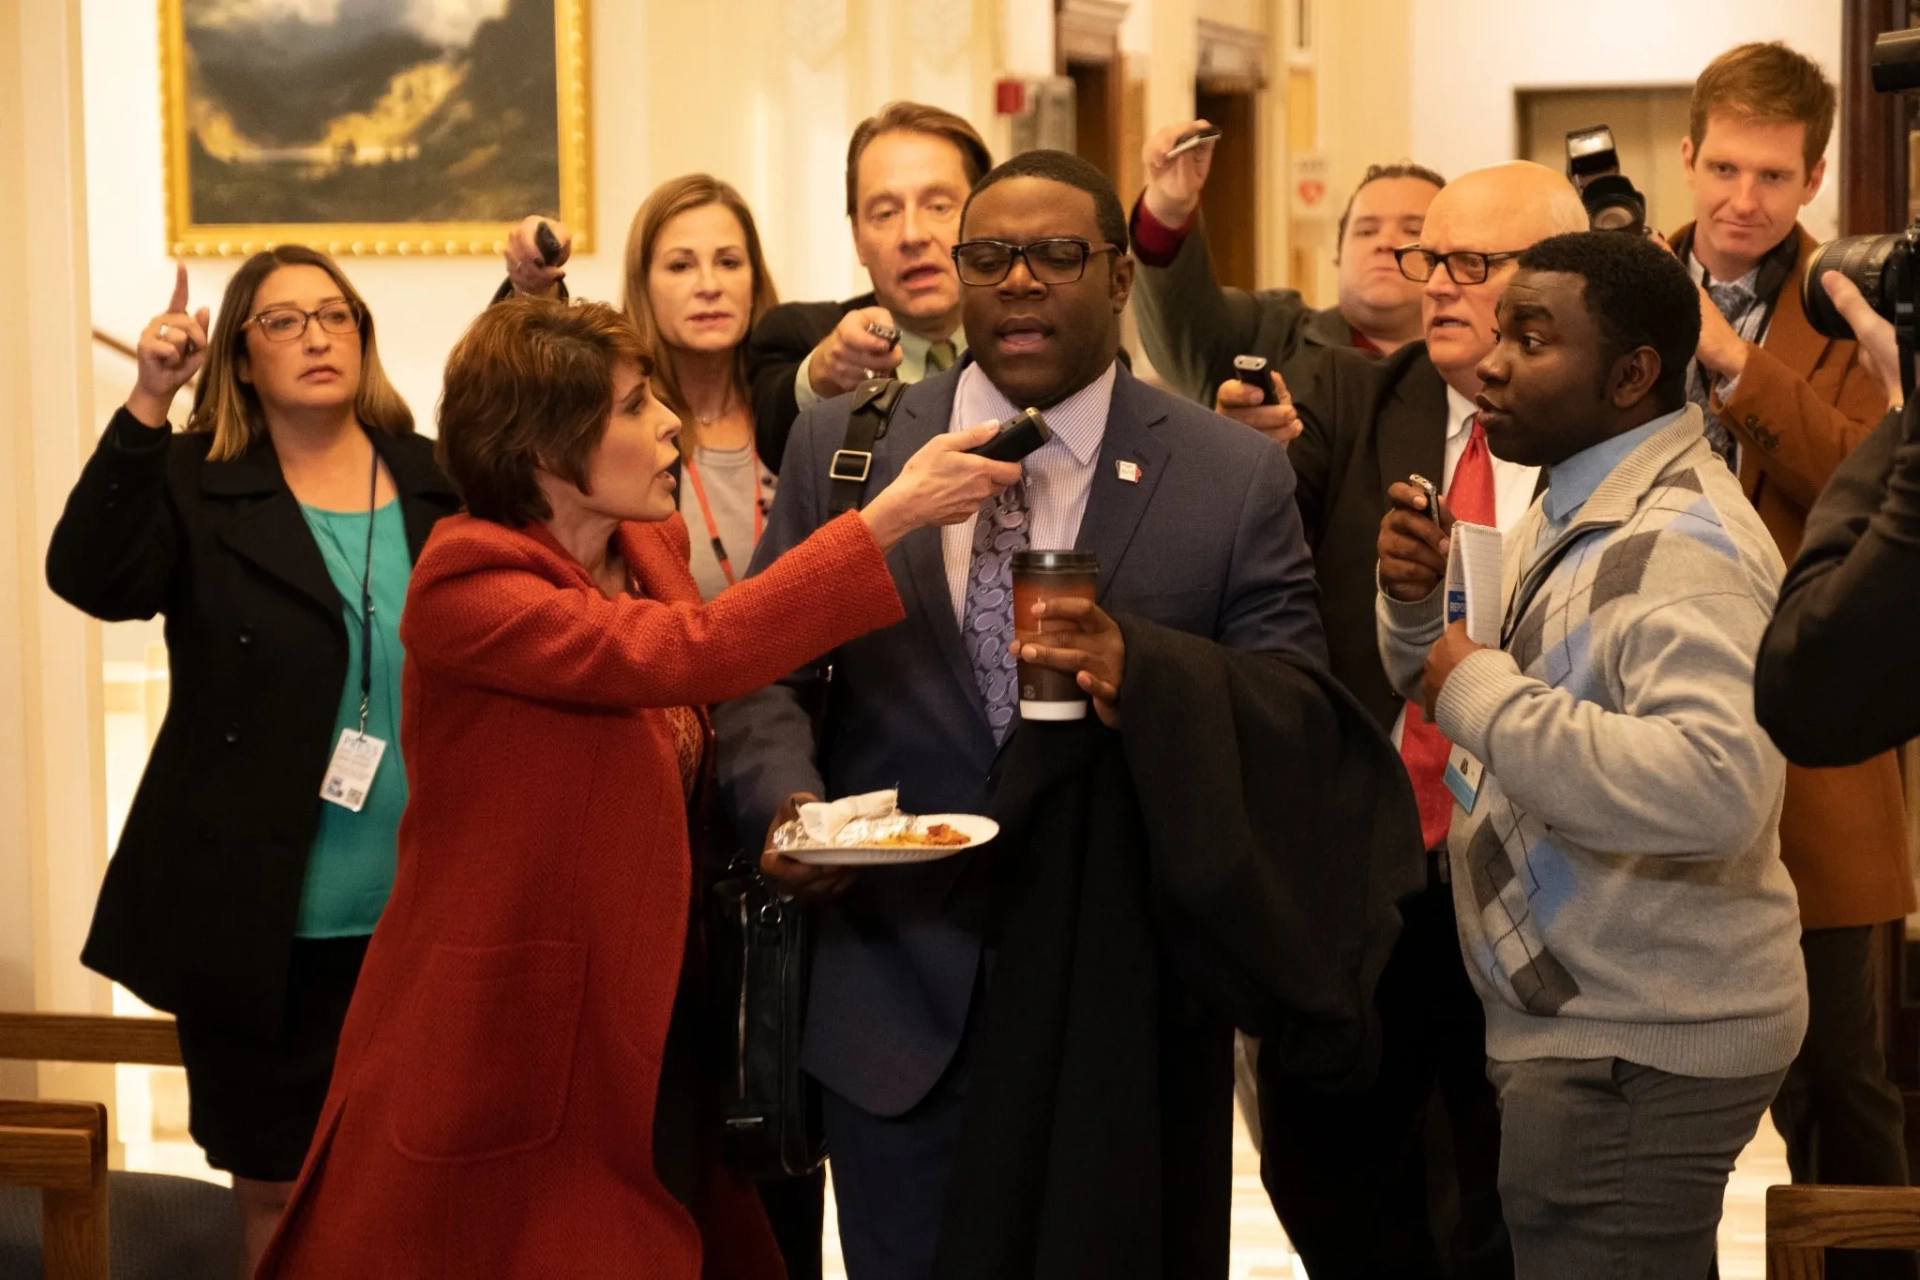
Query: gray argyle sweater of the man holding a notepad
{"x": 1618, "y": 884}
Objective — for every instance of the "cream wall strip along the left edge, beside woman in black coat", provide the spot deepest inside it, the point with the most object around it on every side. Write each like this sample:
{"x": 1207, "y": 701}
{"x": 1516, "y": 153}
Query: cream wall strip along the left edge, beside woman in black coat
{"x": 53, "y": 828}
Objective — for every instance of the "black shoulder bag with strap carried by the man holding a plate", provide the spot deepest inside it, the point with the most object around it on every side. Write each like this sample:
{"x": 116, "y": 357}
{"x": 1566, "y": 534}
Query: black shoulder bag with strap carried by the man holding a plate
{"x": 761, "y": 945}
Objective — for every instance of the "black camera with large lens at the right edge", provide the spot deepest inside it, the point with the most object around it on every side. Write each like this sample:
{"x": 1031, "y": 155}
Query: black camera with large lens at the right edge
{"x": 1883, "y": 268}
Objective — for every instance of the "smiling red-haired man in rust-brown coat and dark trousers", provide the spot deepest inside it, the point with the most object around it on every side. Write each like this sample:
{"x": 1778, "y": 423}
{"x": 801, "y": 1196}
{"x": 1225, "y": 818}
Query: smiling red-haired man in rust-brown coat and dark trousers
{"x": 1785, "y": 406}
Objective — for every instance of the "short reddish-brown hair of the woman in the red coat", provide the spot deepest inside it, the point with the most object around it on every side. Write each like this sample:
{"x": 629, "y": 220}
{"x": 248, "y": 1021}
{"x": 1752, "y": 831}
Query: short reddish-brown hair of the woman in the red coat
{"x": 531, "y": 389}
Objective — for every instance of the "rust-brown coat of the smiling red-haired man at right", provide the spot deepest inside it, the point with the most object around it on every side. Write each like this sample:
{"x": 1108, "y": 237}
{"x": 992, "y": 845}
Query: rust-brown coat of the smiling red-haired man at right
{"x": 1800, "y": 408}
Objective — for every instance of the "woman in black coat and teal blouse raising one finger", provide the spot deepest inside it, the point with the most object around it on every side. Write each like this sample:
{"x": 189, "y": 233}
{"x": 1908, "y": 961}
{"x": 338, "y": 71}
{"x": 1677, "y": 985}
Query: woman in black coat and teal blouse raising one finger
{"x": 276, "y": 534}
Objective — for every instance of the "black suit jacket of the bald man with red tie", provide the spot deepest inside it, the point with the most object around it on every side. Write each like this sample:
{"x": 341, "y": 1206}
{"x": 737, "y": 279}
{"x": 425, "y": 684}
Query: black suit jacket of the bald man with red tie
{"x": 1366, "y": 423}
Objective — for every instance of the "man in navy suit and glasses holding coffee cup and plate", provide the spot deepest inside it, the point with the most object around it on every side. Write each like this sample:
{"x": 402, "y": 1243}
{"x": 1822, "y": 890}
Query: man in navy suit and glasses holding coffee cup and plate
{"x": 1195, "y": 527}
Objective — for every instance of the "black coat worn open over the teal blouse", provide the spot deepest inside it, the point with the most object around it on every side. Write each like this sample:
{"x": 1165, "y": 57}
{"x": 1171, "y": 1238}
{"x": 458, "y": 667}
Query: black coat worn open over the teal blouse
{"x": 199, "y": 909}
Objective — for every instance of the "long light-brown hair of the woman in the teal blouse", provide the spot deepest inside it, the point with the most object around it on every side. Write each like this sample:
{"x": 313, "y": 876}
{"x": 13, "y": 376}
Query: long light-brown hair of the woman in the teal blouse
{"x": 229, "y": 408}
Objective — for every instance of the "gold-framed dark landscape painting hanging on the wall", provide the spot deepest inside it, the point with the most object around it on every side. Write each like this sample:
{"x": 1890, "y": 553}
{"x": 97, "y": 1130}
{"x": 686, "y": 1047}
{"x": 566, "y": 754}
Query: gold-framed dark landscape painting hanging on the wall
{"x": 329, "y": 172}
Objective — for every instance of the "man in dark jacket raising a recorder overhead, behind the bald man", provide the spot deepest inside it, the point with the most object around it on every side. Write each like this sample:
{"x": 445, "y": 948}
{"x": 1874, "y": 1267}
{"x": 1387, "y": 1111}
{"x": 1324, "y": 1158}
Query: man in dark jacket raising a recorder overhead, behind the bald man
{"x": 1193, "y": 327}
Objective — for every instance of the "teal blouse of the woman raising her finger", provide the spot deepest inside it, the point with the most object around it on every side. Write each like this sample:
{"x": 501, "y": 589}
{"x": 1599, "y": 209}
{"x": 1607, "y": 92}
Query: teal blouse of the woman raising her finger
{"x": 350, "y": 870}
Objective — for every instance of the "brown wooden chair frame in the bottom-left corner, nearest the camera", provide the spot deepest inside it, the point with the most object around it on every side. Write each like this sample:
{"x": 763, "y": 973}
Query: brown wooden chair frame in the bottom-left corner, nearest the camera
{"x": 62, "y": 1149}
